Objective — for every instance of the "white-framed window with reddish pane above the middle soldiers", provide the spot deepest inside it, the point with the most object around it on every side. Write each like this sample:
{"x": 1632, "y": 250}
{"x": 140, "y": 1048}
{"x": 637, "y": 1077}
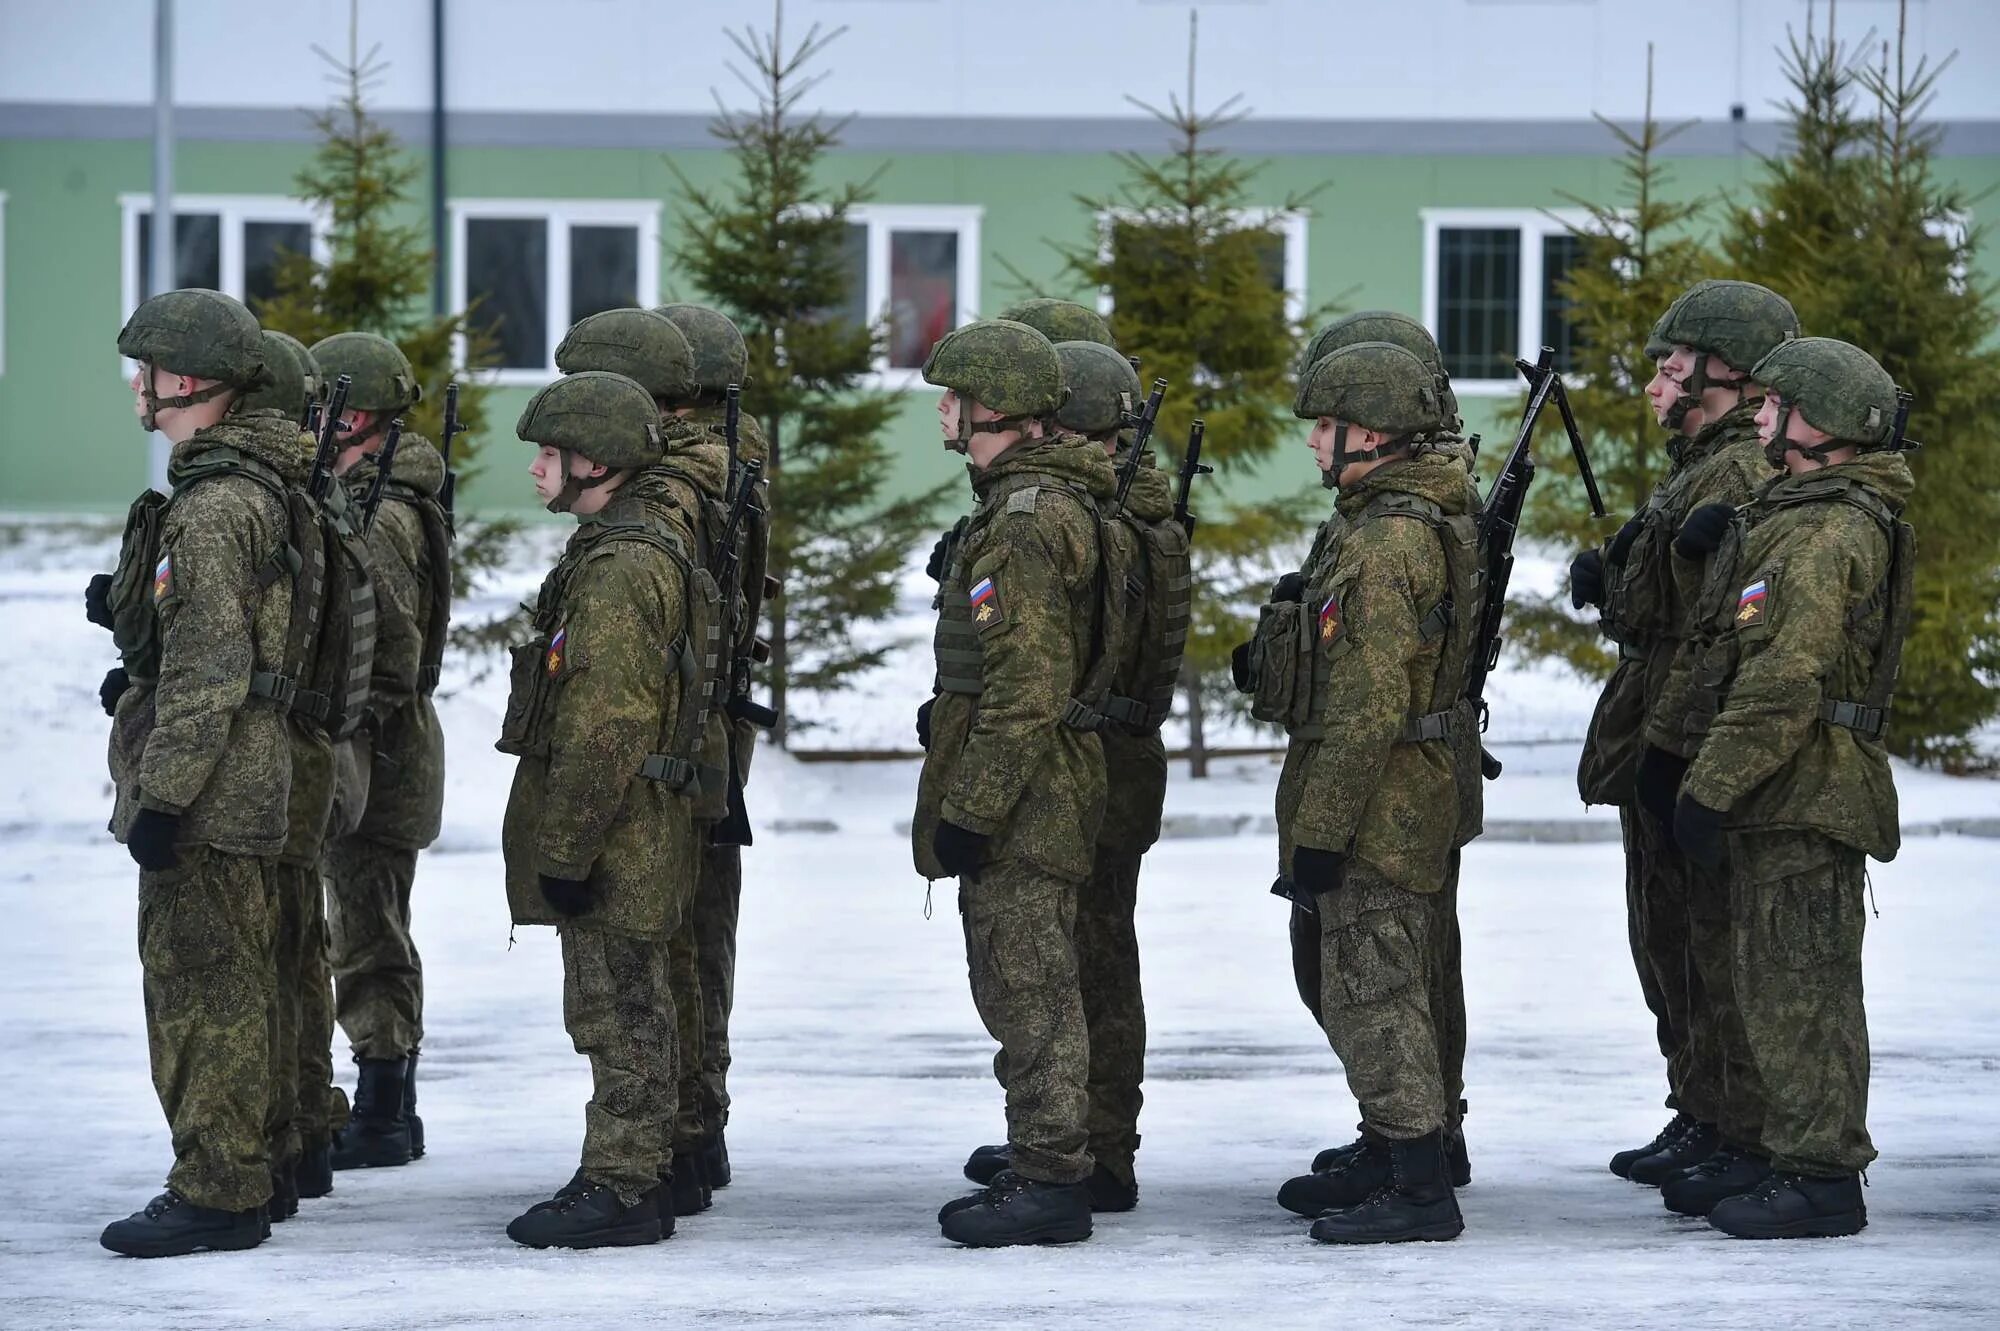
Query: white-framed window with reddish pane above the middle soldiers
{"x": 919, "y": 271}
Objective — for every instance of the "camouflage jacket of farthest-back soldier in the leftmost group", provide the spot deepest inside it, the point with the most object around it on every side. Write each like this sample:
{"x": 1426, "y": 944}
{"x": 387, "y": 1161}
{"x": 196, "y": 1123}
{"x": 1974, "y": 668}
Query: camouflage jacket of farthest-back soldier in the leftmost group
{"x": 403, "y": 744}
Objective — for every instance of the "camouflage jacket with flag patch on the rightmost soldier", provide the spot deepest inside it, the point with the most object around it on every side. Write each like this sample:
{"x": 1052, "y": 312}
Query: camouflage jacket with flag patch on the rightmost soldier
{"x": 1793, "y": 621}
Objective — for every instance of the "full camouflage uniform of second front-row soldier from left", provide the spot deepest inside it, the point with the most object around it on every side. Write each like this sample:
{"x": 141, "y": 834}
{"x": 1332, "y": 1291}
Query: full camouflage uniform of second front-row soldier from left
{"x": 593, "y": 696}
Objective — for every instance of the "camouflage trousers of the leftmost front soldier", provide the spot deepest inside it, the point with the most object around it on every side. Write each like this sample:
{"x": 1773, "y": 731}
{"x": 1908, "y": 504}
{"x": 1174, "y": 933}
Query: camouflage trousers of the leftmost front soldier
{"x": 205, "y": 946}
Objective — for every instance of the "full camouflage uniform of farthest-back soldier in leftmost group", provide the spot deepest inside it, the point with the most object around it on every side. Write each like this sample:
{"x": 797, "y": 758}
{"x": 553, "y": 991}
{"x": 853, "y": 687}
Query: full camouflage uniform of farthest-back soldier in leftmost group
{"x": 391, "y": 796}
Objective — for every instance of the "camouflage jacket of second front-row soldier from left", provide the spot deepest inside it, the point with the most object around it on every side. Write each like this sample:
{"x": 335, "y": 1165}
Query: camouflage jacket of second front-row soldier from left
{"x": 593, "y": 700}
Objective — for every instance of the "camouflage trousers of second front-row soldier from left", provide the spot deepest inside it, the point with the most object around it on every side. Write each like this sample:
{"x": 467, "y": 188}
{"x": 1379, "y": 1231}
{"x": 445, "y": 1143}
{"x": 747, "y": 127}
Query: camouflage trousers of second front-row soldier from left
{"x": 619, "y": 1008}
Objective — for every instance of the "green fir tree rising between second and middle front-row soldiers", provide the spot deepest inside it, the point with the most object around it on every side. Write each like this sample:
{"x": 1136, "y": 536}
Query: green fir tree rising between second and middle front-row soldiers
{"x": 771, "y": 253}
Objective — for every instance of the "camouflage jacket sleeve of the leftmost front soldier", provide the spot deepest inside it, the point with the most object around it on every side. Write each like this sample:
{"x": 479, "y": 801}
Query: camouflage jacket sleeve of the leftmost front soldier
{"x": 207, "y": 595}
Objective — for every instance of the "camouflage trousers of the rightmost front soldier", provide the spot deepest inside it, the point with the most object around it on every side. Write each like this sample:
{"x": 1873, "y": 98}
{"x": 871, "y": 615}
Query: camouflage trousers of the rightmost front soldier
{"x": 1797, "y": 904}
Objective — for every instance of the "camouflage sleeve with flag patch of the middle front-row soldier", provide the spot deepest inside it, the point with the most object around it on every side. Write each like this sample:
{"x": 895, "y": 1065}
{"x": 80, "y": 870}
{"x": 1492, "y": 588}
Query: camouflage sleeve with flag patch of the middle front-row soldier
{"x": 1029, "y": 665}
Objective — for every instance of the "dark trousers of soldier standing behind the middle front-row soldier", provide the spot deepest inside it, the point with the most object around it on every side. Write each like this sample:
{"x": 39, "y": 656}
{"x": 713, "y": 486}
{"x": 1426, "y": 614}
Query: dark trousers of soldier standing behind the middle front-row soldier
{"x": 1115, "y": 1010}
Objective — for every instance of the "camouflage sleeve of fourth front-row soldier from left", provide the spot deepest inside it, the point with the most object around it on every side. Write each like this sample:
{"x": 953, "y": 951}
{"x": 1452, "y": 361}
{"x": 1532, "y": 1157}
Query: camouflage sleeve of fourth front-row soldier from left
{"x": 1373, "y": 633}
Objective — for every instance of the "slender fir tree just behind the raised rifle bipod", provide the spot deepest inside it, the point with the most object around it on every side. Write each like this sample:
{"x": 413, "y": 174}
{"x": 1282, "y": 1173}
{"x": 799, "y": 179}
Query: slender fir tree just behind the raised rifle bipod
{"x": 1635, "y": 259}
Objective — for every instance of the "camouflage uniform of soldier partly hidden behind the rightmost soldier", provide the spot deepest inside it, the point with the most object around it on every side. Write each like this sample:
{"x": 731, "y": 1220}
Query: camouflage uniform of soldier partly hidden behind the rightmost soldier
{"x": 1677, "y": 912}
